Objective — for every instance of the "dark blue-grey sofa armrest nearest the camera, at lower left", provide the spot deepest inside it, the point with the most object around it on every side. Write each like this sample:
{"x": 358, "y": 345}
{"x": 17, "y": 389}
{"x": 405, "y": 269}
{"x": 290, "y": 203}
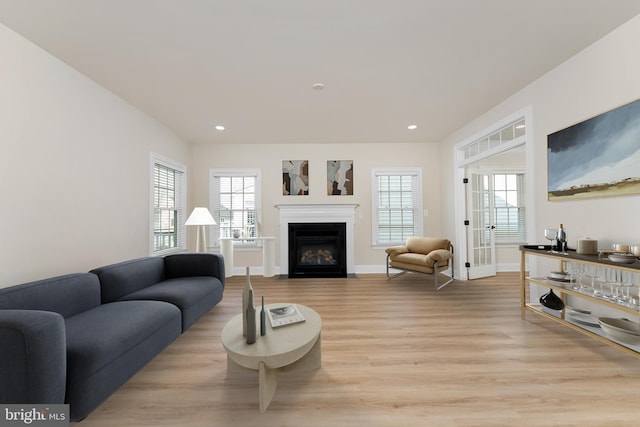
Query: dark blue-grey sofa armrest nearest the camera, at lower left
{"x": 33, "y": 357}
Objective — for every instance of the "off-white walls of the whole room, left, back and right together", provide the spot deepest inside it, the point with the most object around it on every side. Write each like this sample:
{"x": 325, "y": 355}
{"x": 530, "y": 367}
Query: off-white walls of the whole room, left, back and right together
{"x": 74, "y": 161}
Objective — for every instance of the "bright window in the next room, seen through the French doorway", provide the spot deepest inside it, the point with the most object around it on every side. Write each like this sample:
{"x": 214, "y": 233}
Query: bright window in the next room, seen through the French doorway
{"x": 509, "y": 207}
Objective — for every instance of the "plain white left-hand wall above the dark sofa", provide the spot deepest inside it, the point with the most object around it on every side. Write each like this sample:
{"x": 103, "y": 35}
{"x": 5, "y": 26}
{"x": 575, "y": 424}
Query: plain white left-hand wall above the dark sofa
{"x": 74, "y": 165}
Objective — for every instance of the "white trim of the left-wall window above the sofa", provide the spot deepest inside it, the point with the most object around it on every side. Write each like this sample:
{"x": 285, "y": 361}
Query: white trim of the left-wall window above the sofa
{"x": 181, "y": 201}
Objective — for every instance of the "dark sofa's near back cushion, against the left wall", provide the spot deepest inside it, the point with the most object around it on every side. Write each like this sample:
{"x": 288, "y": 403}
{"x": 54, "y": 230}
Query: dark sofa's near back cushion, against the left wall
{"x": 67, "y": 295}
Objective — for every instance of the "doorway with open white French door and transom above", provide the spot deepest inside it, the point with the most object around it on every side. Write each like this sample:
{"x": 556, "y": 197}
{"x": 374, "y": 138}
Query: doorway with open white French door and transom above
{"x": 482, "y": 211}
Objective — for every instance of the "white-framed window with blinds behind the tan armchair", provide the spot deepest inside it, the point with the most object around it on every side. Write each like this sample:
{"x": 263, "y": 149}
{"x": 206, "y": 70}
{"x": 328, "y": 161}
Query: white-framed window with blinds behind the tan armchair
{"x": 397, "y": 205}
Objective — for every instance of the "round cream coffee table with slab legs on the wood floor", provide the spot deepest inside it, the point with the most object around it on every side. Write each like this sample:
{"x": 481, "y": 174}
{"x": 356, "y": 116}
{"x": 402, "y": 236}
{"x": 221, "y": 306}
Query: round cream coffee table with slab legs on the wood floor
{"x": 291, "y": 347}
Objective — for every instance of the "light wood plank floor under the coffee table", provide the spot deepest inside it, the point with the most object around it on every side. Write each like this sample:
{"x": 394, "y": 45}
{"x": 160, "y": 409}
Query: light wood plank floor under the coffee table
{"x": 395, "y": 353}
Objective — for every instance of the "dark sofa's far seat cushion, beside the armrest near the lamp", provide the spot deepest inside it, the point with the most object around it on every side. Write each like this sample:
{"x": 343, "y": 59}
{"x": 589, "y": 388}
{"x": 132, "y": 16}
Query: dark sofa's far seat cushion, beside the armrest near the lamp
{"x": 194, "y": 296}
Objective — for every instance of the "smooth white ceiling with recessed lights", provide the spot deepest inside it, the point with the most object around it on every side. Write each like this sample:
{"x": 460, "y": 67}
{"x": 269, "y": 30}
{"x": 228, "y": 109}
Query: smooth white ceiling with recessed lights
{"x": 250, "y": 65}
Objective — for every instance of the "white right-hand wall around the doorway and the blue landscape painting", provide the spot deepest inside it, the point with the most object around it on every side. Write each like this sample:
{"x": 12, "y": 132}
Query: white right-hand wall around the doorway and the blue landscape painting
{"x": 600, "y": 78}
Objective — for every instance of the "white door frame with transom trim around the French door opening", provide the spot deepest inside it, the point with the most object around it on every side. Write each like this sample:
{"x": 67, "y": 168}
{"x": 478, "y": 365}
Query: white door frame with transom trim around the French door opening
{"x": 460, "y": 197}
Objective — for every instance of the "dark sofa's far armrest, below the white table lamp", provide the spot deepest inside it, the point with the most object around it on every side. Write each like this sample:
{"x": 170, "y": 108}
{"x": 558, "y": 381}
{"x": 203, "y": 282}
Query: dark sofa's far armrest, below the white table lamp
{"x": 194, "y": 264}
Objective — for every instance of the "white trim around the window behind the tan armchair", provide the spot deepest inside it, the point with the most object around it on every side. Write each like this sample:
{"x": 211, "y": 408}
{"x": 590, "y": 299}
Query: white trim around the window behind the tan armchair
{"x": 418, "y": 206}
